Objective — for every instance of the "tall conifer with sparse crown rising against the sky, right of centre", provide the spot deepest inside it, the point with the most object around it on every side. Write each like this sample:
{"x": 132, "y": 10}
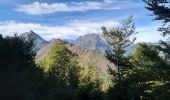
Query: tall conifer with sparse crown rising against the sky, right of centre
{"x": 119, "y": 39}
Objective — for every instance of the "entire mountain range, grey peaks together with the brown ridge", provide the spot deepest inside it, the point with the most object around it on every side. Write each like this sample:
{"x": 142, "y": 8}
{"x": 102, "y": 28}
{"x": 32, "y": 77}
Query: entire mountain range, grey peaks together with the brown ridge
{"x": 90, "y": 48}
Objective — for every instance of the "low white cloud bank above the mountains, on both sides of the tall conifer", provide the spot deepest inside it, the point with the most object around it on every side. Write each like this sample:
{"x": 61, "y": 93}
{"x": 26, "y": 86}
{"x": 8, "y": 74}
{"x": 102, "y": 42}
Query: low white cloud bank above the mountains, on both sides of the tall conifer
{"x": 75, "y": 29}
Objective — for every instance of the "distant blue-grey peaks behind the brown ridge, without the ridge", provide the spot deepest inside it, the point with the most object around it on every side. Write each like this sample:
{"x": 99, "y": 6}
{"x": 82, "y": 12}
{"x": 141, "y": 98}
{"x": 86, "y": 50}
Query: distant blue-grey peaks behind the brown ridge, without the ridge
{"x": 95, "y": 42}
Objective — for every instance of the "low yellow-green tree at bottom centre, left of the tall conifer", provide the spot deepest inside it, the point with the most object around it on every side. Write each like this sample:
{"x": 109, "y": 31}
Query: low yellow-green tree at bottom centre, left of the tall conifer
{"x": 89, "y": 83}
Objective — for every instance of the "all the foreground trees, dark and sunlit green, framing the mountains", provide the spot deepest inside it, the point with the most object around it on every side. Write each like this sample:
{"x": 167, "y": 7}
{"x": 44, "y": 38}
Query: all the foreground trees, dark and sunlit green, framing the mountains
{"x": 143, "y": 75}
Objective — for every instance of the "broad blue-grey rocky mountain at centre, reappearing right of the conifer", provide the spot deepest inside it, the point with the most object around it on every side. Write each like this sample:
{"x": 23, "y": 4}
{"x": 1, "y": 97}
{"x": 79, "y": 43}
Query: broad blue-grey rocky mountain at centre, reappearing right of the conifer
{"x": 98, "y": 43}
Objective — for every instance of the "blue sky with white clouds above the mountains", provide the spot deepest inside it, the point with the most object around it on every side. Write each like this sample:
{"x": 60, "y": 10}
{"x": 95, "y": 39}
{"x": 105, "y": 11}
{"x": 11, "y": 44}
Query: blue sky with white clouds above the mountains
{"x": 69, "y": 19}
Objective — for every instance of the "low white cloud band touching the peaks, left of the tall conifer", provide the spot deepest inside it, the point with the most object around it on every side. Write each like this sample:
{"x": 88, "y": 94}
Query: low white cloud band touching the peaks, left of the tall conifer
{"x": 69, "y": 31}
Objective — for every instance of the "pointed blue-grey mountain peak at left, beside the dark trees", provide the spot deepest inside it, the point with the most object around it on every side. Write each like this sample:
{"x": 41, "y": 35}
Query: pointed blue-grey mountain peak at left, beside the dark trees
{"x": 39, "y": 41}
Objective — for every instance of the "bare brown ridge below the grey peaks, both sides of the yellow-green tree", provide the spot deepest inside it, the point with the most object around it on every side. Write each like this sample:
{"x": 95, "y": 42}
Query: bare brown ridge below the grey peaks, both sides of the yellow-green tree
{"x": 85, "y": 56}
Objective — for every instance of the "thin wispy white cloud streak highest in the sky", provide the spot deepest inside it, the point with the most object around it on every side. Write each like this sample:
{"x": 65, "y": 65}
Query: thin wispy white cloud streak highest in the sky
{"x": 37, "y": 8}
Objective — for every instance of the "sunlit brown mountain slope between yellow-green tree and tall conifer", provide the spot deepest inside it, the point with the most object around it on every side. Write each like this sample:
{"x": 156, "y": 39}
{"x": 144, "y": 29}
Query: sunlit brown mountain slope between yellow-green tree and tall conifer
{"x": 91, "y": 57}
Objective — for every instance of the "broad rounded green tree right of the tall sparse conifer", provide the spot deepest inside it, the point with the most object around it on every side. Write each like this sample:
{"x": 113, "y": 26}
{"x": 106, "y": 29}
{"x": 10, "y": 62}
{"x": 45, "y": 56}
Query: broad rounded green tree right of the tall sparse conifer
{"x": 148, "y": 73}
